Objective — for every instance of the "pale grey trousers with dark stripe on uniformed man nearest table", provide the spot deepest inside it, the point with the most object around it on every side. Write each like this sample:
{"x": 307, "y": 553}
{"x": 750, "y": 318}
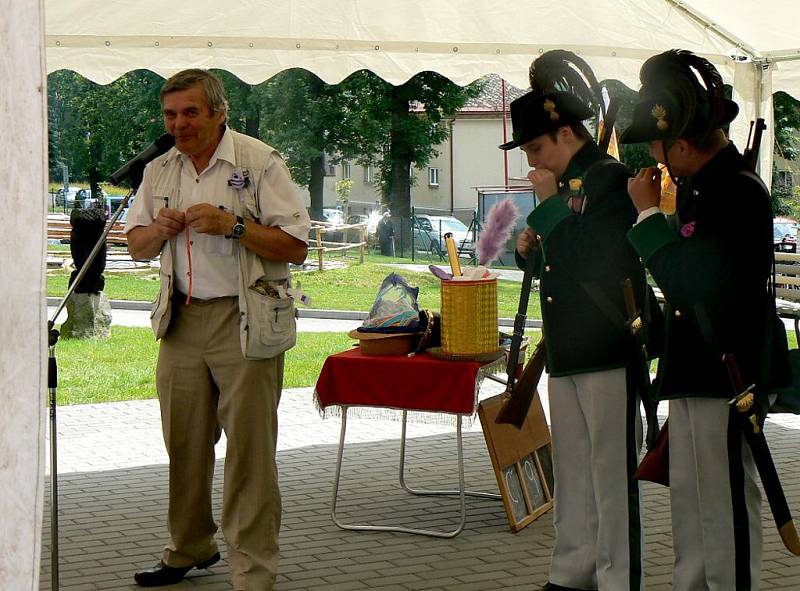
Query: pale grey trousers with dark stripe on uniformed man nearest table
{"x": 597, "y": 435}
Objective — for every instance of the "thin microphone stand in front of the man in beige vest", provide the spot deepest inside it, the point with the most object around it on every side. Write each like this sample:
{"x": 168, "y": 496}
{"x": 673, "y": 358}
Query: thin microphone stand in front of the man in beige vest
{"x": 52, "y": 387}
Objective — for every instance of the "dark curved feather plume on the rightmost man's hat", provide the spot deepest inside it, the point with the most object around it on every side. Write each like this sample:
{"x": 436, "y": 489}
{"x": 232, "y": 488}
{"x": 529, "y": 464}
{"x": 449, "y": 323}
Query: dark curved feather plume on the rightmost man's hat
{"x": 682, "y": 72}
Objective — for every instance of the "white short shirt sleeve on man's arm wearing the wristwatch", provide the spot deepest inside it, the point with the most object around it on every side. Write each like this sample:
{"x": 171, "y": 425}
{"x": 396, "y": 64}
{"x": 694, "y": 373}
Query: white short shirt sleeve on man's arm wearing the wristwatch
{"x": 280, "y": 202}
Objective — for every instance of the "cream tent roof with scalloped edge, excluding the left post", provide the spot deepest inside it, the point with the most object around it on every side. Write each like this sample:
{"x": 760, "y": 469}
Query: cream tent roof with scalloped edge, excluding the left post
{"x": 754, "y": 44}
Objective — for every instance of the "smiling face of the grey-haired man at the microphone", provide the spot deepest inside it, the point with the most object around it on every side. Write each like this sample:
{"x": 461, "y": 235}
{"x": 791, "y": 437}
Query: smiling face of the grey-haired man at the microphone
{"x": 188, "y": 117}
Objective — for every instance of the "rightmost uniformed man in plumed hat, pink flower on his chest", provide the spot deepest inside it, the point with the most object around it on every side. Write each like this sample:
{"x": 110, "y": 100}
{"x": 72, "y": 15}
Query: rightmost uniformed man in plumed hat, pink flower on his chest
{"x": 712, "y": 260}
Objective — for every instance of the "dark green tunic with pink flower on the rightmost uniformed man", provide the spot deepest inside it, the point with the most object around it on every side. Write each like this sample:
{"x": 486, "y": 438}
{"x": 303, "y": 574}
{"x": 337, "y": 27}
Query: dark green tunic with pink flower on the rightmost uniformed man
{"x": 713, "y": 261}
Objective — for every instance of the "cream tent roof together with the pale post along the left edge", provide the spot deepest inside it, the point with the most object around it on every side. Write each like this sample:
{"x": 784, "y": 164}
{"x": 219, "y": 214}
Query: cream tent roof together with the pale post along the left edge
{"x": 754, "y": 44}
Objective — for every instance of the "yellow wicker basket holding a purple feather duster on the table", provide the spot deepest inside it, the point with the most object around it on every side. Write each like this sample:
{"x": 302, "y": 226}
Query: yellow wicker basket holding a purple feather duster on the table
{"x": 469, "y": 317}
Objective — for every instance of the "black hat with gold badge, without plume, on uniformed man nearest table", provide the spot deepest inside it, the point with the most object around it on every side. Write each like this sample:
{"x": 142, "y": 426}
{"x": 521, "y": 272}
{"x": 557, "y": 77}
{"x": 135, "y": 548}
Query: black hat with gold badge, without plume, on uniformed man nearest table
{"x": 538, "y": 113}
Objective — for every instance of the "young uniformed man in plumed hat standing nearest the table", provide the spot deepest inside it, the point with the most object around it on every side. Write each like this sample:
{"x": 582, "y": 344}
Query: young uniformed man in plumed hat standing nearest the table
{"x": 581, "y": 257}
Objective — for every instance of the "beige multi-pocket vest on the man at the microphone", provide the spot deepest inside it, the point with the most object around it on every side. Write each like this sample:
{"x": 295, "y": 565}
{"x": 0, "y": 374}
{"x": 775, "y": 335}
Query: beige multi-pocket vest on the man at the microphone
{"x": 267, "y": 322}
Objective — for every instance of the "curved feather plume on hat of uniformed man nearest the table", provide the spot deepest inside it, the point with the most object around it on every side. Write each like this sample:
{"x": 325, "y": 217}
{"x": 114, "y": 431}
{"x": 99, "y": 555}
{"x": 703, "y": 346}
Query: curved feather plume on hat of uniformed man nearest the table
{"x": 559, "y": 70}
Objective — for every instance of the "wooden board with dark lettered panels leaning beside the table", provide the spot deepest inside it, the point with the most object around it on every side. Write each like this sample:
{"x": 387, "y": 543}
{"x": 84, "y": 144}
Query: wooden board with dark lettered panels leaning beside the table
{"x": 522, "y": 461}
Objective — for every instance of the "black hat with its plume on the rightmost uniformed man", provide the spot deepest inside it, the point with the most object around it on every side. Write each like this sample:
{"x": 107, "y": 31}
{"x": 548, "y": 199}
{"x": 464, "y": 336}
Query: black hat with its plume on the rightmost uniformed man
{"x": 682, "y": 96}
